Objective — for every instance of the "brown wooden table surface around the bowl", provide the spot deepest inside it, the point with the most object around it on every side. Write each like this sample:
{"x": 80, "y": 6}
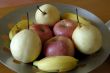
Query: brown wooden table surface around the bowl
{"x": 98, "y": 7}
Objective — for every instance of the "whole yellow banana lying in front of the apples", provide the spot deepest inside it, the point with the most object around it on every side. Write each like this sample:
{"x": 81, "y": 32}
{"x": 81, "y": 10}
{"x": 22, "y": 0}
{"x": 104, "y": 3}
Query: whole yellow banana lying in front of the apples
{"x": 56, "y": 63}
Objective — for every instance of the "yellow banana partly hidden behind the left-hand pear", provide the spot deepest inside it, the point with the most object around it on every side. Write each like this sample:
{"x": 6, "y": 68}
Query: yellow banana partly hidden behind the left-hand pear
{"x": 18, "y": 27}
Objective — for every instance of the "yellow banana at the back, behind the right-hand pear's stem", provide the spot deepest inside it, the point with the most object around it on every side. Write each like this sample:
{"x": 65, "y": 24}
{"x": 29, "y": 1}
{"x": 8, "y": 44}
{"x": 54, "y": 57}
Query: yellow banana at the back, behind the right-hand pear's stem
{"x": 73, "y": 17}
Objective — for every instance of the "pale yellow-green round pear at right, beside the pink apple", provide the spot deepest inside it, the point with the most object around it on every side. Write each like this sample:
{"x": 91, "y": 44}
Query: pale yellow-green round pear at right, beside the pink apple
{"x": 87, "y": 38}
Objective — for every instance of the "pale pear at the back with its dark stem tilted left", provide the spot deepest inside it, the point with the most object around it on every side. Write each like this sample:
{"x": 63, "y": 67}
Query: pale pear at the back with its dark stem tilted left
{"x": 47, "y": 14}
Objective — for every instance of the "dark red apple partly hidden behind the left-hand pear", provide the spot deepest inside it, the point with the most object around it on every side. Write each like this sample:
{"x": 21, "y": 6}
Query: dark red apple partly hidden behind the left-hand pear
{"x": 43, "y": 31}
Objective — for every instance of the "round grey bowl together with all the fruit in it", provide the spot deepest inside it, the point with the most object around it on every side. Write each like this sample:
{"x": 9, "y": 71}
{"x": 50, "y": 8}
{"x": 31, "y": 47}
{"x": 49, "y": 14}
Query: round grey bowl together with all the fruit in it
{"x": 53, "y": 38}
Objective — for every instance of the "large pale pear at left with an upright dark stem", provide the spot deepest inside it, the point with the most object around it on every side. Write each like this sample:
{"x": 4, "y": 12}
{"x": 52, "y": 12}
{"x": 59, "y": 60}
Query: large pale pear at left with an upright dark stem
{"x": 25, "y": 46}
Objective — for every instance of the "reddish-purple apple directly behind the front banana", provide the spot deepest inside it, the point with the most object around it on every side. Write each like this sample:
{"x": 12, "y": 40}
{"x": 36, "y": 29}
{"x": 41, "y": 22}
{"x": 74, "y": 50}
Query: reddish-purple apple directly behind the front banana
{"x": 59, "y": 45}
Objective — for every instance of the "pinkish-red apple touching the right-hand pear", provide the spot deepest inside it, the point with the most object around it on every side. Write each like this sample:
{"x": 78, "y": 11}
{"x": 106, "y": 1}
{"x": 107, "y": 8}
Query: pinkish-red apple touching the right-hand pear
{"x": 64, "y": 28}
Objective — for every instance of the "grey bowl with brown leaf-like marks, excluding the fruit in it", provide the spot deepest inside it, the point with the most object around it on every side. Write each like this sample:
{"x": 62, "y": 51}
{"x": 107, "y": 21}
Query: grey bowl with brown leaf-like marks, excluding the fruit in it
{"x": 86, "y": 65}
